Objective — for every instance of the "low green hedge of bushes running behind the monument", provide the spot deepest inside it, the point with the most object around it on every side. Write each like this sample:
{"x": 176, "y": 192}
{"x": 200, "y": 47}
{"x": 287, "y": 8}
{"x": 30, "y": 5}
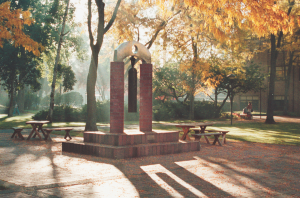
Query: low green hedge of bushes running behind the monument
{"x": 168, "y": 110}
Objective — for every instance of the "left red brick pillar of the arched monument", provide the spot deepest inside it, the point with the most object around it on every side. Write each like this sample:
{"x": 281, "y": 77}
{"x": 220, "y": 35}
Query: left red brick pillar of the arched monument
{"x": 116, "y": 97}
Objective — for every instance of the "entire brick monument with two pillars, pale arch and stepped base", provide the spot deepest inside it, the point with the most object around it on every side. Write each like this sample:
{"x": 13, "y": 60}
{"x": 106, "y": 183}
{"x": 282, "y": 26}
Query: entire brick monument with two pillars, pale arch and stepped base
{"x": 119, "y": 143}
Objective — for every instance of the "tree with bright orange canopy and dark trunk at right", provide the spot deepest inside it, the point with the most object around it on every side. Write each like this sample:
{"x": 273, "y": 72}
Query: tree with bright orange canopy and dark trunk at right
{"x": 263, "y": 18}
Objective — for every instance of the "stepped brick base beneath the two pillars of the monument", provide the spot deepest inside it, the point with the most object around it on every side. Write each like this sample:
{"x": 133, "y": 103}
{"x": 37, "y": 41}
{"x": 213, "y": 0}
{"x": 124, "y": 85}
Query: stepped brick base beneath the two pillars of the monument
{"x": 130, "y": 144}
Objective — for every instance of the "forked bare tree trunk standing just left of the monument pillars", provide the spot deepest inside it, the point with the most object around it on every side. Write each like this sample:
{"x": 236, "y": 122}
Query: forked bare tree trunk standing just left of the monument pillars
{"x": 95, "y": 47}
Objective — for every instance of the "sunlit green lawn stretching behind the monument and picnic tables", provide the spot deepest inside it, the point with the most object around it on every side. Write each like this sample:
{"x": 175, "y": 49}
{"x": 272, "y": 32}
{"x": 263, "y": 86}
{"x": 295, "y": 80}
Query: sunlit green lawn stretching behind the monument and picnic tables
{"x": 279, "y": 133}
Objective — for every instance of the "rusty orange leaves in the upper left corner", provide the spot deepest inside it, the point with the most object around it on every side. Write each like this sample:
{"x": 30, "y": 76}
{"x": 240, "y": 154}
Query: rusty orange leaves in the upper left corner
{"x": 11, "y": 28}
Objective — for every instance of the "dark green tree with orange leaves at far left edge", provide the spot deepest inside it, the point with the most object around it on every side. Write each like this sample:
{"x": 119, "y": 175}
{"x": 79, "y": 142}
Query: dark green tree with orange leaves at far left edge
{"x": 19, "y": 62}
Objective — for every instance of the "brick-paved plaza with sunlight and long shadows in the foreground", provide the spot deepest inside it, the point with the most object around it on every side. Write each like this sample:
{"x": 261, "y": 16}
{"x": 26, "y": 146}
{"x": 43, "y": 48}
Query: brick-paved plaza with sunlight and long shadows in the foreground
{"x": 238, "y": 169}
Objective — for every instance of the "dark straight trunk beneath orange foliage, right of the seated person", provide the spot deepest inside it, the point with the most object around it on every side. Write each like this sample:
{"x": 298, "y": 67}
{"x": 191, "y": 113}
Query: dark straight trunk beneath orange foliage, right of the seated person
{"x": 270, "y": 110}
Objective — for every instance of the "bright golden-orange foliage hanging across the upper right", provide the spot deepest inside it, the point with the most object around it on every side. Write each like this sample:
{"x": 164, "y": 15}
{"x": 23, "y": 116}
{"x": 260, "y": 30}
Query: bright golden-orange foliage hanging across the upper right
{"x": 261, "y": 17}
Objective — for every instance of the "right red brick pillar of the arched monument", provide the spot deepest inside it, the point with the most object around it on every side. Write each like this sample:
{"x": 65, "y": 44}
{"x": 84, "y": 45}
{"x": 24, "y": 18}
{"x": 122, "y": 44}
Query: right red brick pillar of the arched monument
{"x": 146, "y": 97}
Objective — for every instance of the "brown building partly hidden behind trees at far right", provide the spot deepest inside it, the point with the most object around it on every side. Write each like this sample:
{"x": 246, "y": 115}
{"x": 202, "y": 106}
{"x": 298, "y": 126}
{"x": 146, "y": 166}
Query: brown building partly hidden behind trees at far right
{"x": 259, "y": 99}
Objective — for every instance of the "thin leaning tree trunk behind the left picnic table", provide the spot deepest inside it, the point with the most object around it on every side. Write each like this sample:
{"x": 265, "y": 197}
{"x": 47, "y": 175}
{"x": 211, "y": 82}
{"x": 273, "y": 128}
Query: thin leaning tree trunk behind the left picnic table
{"x": 50, "y": 115}
